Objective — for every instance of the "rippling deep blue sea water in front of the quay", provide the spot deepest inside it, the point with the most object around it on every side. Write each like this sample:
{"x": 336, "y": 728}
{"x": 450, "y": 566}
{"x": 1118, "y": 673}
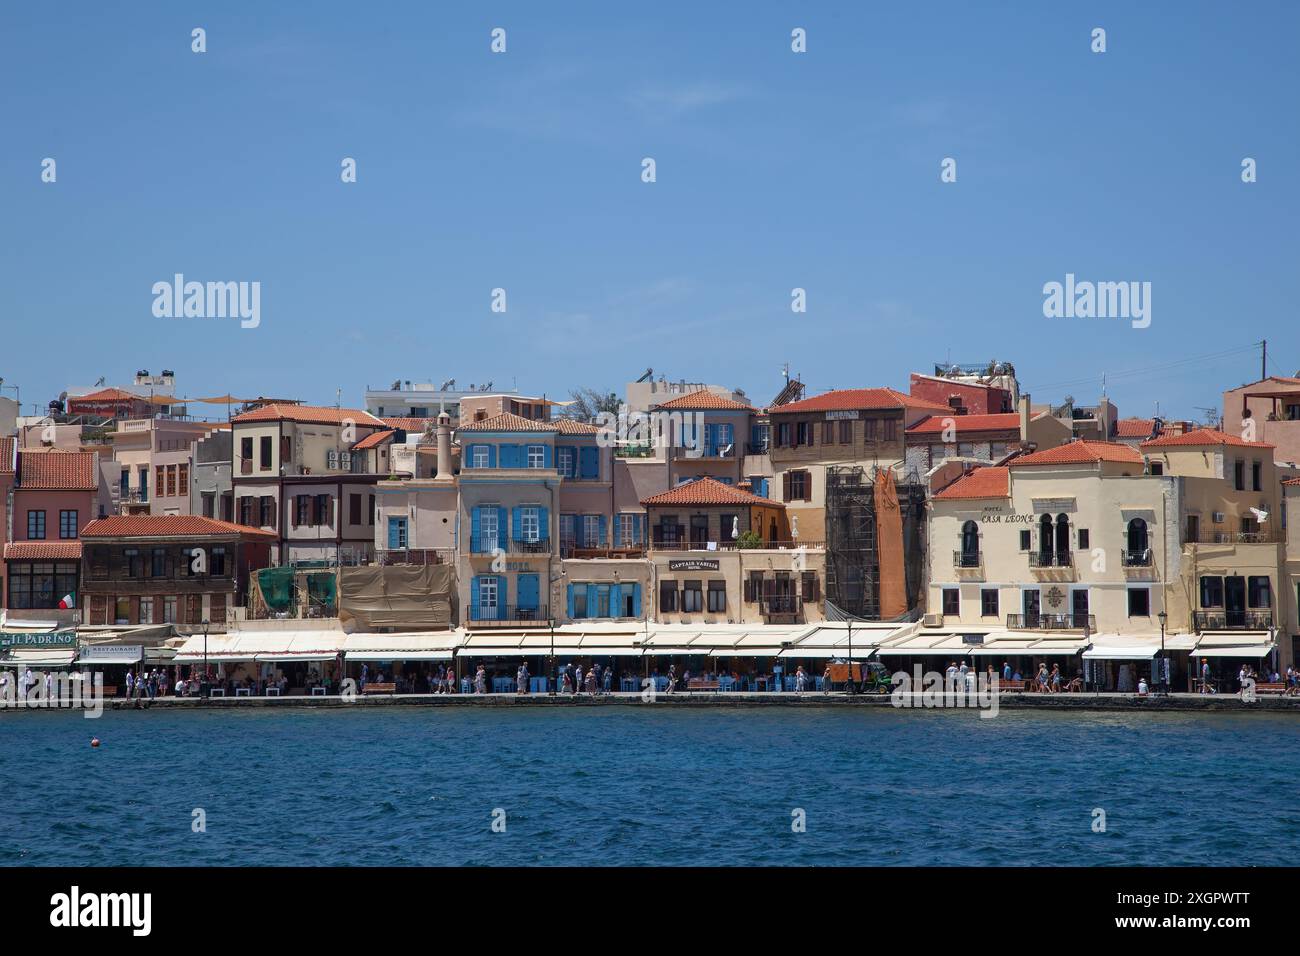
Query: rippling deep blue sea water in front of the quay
{"x": 644, "y": 786}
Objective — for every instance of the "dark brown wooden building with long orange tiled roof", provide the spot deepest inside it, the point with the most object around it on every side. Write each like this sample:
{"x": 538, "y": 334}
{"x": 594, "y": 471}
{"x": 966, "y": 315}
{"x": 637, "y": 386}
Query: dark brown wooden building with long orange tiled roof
{"x": 179, "y": 570}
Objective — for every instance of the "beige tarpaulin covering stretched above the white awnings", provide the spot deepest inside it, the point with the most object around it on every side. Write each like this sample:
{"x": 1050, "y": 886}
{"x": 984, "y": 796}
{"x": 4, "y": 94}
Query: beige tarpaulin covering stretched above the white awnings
{"x": 397, "y": 596}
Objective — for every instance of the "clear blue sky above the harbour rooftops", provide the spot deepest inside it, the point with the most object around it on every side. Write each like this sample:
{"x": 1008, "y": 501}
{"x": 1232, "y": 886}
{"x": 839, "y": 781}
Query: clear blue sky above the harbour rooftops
{"x": 522, "y": 171}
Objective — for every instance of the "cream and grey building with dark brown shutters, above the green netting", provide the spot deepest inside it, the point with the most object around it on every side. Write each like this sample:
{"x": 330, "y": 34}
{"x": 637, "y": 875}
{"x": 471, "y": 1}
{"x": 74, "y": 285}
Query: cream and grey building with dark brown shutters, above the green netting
{"x": 296, "y": 471}
